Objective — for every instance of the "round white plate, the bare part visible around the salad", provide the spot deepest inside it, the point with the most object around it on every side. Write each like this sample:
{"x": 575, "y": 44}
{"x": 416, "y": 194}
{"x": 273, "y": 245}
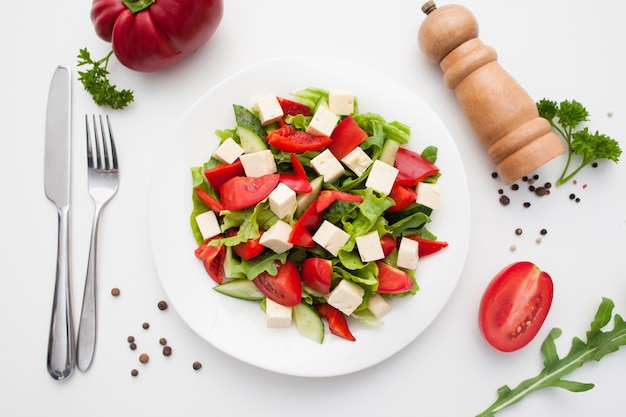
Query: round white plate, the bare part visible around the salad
{"x": 238, "y": 327}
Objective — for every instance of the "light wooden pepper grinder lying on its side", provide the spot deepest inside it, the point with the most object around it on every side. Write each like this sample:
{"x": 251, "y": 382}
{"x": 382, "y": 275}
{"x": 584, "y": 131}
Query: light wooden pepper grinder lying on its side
{"x": 502, "y": 115}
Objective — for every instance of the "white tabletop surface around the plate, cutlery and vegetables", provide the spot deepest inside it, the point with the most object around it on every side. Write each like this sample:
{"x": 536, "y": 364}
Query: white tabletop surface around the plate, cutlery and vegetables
{"x": 558, "y": 49}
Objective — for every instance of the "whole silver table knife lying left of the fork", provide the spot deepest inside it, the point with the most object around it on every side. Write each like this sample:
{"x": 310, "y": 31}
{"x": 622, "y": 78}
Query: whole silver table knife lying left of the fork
{"x": 61, "y": 349}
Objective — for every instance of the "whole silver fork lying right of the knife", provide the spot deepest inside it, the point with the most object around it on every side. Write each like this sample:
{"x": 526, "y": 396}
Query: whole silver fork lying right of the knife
{"x": 103, "y": 181}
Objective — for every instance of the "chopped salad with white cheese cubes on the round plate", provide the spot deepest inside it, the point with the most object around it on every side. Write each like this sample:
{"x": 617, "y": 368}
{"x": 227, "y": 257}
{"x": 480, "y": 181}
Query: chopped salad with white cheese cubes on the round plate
{"x": 315, "y": 210}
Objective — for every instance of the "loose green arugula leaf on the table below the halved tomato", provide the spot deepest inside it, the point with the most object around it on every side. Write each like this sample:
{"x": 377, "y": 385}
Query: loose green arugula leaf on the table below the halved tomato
{"x": 599, "y": 344}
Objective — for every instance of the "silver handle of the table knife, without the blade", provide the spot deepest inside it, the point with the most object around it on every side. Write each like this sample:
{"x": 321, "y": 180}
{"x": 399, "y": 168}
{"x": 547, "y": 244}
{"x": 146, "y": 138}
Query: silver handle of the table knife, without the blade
{"x": 61, "y": 339}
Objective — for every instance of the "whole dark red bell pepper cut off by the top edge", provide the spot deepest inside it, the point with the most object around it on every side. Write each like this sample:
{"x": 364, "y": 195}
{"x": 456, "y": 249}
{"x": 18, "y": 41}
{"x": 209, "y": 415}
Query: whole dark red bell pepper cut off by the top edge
{"x": 151, "y": 35}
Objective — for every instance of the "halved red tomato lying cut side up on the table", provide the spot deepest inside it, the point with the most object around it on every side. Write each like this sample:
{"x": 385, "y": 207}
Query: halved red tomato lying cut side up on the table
{"x": 515, "y": 305}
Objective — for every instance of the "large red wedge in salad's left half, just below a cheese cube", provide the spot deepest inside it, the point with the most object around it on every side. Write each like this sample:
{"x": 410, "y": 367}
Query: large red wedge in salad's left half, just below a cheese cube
{"x": 241, "y": 192}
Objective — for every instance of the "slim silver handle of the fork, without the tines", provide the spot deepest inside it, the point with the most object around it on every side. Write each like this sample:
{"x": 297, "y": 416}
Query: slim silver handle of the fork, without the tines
{"x": 86, "y": 345}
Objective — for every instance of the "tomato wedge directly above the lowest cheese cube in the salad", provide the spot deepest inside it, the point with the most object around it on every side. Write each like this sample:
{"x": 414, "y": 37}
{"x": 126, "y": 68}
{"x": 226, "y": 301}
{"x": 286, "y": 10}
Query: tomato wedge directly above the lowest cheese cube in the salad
{"x": 284, "y": 288}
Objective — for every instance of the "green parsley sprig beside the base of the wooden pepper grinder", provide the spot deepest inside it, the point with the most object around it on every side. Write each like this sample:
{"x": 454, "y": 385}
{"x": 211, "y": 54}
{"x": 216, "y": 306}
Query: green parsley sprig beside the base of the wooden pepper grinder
{"x": 565, "y": 117}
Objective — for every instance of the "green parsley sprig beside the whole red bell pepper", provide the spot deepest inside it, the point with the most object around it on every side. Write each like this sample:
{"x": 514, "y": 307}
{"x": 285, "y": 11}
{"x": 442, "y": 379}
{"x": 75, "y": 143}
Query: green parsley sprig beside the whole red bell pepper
{"x": 96, "y": 82}
